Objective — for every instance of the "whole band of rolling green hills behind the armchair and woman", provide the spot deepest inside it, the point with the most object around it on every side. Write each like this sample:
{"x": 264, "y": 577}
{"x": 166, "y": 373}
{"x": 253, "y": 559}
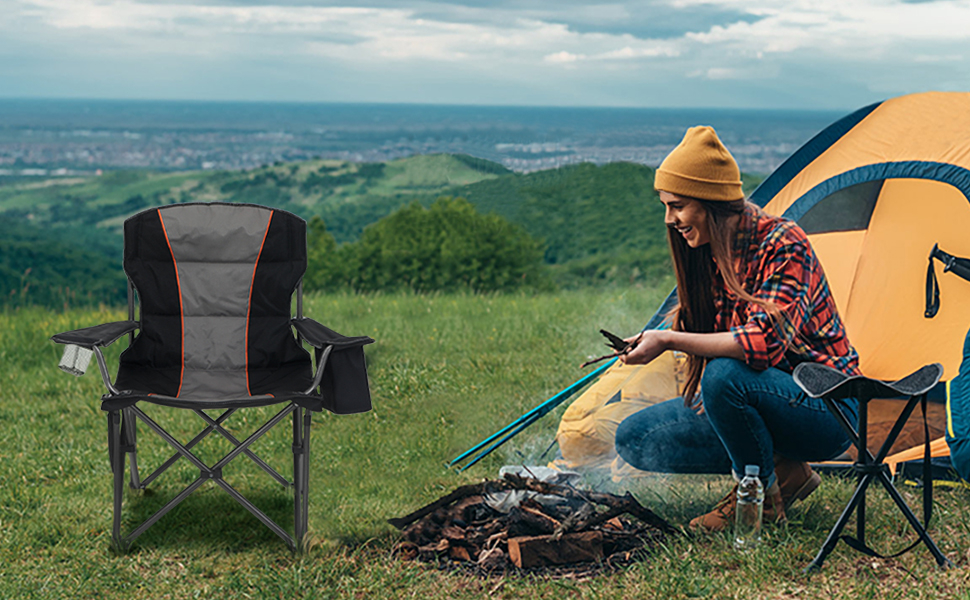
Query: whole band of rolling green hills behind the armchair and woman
{"x": 598, "y": 223}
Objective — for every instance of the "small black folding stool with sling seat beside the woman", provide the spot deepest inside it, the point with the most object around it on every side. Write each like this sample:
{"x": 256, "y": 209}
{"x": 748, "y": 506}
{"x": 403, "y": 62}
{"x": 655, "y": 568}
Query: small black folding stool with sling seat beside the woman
{"x": 820, "y": 381}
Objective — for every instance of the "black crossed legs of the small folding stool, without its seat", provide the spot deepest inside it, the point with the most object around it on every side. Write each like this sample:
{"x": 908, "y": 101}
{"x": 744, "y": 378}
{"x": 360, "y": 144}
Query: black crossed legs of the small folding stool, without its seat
{"x": 871, "y": 468}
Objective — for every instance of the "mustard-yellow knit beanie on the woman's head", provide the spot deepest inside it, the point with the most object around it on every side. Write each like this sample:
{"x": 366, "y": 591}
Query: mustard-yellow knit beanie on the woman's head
{"x": 700, "y": 167}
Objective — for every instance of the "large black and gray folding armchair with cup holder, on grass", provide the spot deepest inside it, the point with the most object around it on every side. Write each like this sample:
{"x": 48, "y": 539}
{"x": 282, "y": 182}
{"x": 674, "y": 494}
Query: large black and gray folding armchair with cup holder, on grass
{"x": 214, "y": 283}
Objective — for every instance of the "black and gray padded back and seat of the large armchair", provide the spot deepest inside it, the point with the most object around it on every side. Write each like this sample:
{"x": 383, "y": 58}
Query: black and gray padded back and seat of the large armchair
{"x": 214, "y": 283}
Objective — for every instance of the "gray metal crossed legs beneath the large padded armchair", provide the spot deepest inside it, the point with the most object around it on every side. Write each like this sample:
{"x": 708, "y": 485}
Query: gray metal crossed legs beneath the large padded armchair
{"x": 122, "y": 439}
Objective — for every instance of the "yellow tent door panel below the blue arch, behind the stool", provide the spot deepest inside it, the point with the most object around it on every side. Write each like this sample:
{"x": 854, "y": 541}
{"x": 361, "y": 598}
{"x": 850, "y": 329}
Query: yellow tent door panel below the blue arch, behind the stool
{"x": 884, "y": 317}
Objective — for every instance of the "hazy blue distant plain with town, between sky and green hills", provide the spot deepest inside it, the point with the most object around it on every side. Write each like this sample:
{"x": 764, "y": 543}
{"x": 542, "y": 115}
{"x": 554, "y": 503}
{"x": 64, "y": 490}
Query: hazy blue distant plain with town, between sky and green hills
{"x": 84, "y": 134}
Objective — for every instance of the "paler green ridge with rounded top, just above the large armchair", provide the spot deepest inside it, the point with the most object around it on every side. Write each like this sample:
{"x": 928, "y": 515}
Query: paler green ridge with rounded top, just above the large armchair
{"x": 309, "y": 188}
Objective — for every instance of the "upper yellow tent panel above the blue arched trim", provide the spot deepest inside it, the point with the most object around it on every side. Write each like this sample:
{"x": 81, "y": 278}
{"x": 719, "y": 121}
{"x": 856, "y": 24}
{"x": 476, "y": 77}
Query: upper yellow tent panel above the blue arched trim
{"x": 920, "y": 127}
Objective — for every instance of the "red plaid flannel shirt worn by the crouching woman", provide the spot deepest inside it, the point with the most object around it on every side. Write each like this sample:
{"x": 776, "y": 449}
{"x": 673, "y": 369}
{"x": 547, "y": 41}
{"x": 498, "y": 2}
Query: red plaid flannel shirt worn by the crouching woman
{"x": 775, "y": 262}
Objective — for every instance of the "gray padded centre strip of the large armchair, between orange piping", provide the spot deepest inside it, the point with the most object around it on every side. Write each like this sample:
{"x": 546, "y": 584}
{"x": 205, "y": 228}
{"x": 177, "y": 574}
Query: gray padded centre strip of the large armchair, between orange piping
{"x": 215, "y": 255}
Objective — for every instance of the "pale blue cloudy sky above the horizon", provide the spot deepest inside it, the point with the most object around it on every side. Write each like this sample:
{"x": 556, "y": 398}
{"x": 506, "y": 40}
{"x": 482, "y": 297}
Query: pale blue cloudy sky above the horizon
{"x": 778, "y": 54}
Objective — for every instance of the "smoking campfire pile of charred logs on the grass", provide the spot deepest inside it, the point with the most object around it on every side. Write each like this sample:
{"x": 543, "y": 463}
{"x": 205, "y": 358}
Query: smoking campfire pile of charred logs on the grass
{"x": 547, "y": 527}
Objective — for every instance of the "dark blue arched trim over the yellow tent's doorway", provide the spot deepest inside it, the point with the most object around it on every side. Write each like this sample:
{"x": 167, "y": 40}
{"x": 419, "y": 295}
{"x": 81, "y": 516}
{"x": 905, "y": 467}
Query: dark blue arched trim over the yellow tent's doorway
{"x": 956, "y": 176}
